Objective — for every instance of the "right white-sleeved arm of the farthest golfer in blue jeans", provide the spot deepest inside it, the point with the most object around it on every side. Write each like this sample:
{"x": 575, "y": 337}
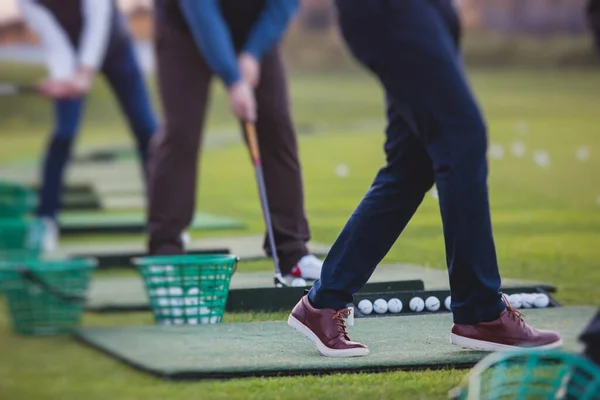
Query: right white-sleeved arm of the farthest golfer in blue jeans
{"x": 97, "y": 16}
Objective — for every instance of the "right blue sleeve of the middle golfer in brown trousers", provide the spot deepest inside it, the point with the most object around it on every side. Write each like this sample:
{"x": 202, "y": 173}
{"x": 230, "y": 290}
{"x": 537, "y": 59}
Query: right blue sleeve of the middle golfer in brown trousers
{"x": 270, "y": 26}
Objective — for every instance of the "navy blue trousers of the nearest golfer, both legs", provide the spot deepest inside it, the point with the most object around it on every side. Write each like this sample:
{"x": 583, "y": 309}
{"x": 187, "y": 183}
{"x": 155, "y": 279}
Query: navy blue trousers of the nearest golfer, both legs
{"x": 435, "y": 134}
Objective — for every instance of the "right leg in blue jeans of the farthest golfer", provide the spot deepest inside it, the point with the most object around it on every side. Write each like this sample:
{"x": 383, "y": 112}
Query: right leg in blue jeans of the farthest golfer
{"x": 126, "y": 79}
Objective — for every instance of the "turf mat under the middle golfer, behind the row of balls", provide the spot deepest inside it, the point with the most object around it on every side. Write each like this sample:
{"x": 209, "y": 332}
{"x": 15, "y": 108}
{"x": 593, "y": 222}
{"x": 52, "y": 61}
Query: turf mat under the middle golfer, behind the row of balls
{"x": 127, "y": 293}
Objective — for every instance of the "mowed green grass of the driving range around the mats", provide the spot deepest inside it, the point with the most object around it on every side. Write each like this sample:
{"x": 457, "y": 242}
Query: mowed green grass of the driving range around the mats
{"x": 546, "y": 217}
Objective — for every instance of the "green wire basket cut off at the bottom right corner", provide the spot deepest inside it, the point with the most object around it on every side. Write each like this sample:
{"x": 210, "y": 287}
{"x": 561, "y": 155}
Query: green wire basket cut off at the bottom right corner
{"x": 531, "y": 374}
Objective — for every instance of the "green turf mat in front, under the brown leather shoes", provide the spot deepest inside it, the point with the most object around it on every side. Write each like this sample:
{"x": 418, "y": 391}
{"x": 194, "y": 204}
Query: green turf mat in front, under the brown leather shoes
{"x": 273, "y": 348}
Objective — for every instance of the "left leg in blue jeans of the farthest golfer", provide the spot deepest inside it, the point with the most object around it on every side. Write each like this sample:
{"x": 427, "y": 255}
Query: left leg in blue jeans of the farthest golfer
{"x": 67, "y": 115}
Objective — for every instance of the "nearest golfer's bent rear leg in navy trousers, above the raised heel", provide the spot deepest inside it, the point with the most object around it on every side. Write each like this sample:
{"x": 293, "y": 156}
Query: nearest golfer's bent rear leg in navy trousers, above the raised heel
{"x": 381, "y": 216}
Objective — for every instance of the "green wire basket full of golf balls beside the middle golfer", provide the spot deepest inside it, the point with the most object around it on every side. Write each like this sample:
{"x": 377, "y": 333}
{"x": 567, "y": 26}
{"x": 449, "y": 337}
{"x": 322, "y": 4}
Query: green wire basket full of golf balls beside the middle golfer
{"x": 187, "y": 289}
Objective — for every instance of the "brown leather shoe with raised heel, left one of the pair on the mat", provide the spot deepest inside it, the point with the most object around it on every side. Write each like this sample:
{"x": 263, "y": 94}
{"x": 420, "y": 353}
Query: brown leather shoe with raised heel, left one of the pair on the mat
{"x": 326, "y": 328}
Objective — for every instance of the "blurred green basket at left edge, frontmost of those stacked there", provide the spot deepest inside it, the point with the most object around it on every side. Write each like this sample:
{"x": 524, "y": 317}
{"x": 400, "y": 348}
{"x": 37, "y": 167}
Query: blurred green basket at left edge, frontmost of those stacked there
{"x": 45, "y": 297}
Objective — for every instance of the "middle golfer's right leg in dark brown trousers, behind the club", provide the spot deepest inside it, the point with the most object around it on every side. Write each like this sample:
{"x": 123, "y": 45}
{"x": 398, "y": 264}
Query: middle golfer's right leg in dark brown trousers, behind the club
{"x": 281, "y": 166}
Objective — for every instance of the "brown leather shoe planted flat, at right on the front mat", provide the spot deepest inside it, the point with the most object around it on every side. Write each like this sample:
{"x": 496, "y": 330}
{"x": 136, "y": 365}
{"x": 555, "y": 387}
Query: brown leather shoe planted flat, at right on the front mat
{"x": 508, "y": 332}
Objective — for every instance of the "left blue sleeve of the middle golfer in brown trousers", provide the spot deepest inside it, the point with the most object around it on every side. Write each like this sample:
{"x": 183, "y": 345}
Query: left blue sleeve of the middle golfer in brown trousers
{"x": 212, "y": 37}
